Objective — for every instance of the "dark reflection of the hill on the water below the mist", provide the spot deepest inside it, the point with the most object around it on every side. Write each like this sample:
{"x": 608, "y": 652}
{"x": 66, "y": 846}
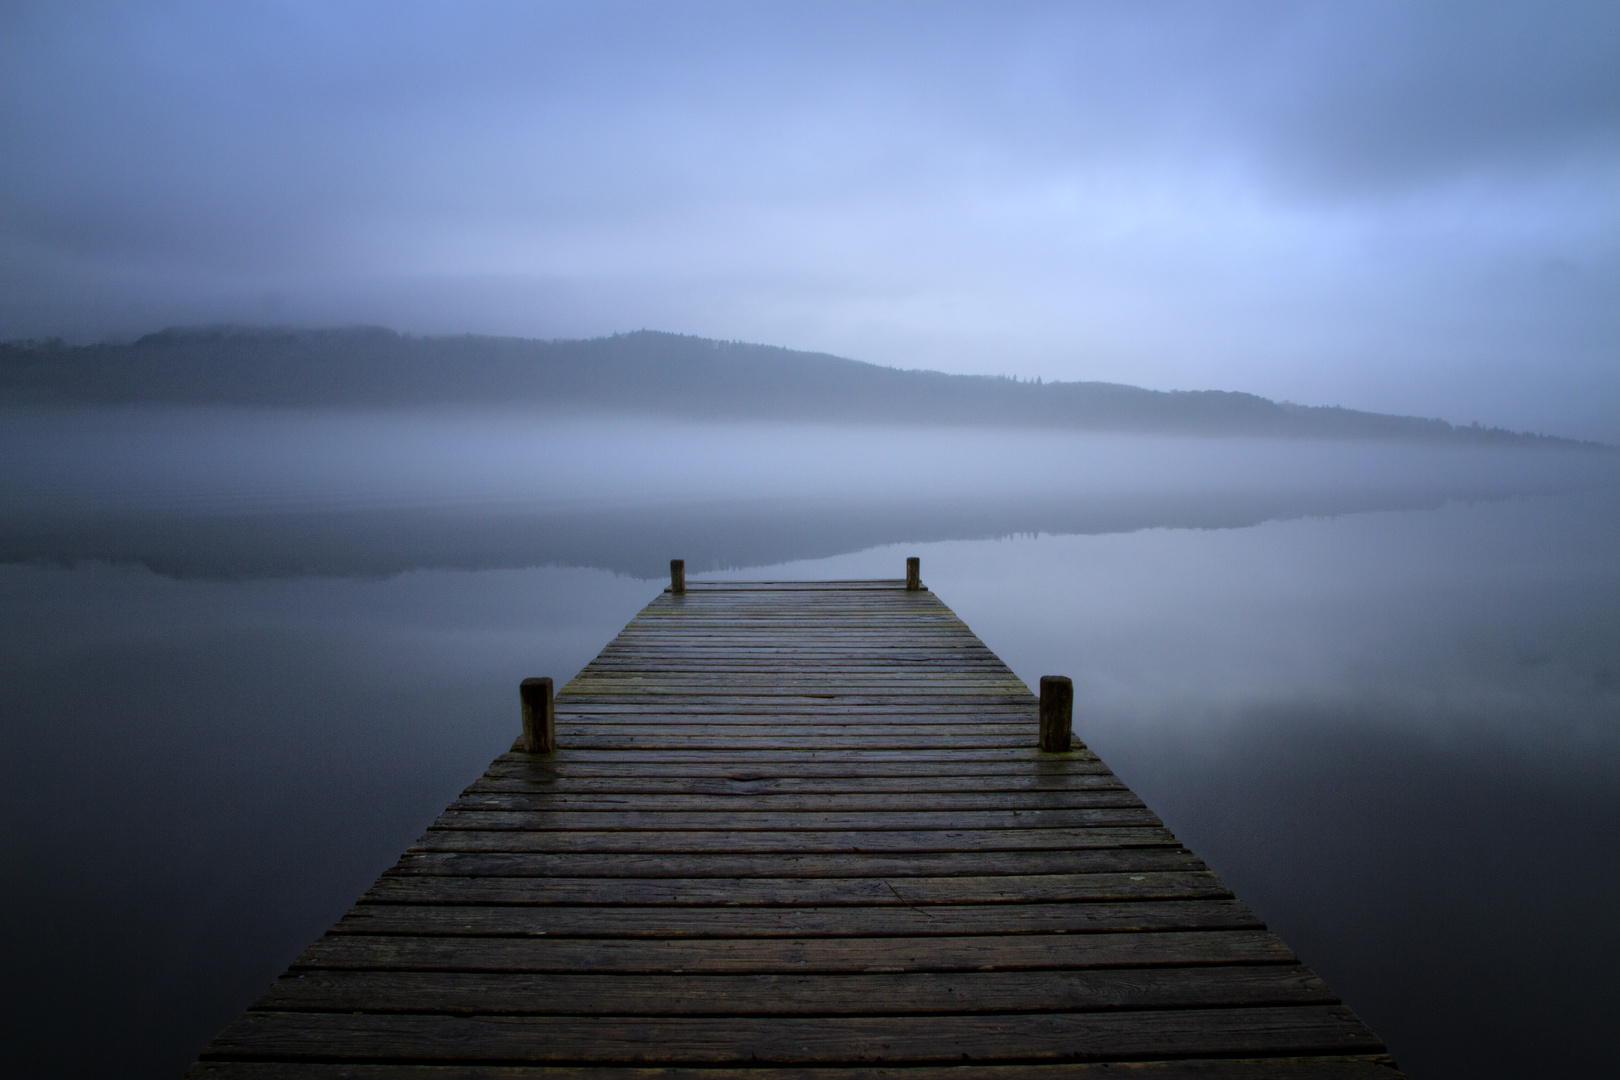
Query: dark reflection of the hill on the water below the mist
{"x": 639, "y": 540}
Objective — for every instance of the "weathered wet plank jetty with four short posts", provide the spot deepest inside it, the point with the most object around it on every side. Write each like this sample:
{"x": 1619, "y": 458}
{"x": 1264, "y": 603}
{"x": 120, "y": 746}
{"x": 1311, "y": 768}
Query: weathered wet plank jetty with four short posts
{"x": 803, "y": 830}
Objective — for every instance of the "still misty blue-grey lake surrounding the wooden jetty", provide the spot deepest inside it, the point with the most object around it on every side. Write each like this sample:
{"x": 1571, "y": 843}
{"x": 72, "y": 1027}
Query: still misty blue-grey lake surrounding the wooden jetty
{"x": 249, "y": 658}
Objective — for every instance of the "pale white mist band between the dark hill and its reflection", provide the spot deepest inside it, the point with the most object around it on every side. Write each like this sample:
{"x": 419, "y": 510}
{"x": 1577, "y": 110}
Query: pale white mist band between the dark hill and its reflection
{"x": 169, "y": 461}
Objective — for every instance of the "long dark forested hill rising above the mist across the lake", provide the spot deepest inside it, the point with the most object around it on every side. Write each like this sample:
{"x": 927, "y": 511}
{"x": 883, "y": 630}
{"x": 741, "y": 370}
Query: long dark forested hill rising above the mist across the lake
{"x": 647, "y": 373}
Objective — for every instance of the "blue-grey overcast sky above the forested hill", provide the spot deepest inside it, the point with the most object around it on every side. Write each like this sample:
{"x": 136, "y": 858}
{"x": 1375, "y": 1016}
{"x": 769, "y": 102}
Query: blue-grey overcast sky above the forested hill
{"x": 1396, "y": 206}
